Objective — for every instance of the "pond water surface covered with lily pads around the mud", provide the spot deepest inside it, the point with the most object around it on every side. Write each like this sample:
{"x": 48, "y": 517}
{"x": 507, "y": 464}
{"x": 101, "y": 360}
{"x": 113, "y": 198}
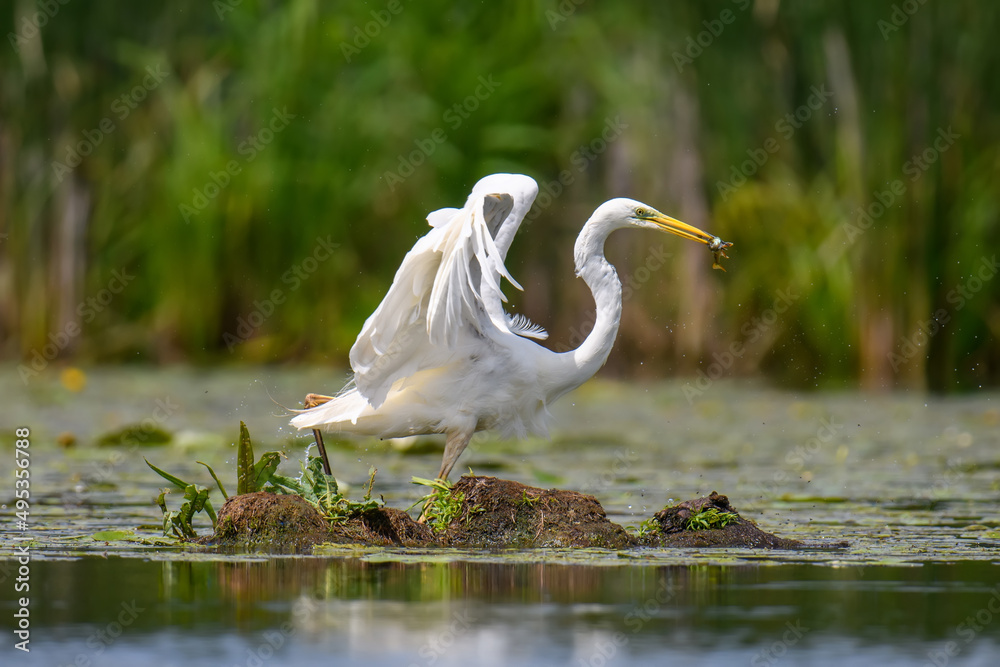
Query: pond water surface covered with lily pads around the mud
{"x": 911, "y": 482}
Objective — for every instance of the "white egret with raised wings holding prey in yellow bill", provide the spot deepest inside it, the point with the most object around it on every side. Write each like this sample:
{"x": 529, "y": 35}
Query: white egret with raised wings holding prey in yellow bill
{"x": 440, "y": 354}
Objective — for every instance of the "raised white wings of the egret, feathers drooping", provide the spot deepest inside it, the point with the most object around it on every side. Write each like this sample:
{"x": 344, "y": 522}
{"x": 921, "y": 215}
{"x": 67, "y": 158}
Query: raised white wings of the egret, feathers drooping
{"x": 449, "y": 281}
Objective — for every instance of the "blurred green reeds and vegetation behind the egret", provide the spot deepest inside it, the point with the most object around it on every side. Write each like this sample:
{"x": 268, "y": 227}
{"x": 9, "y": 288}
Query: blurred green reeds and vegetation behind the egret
{"x": 340, "y": 123}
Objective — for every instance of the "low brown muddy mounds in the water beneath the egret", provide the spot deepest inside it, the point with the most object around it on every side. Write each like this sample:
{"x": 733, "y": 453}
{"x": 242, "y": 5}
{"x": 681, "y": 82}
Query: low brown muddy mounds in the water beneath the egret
{"x": 491, "y": 513}
